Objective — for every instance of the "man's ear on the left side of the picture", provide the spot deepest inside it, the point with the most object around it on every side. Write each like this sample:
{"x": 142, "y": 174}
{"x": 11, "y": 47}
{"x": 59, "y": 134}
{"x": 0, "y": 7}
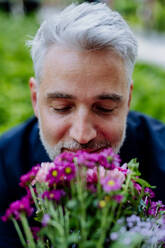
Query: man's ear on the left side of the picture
{"x": 33, "y": 90}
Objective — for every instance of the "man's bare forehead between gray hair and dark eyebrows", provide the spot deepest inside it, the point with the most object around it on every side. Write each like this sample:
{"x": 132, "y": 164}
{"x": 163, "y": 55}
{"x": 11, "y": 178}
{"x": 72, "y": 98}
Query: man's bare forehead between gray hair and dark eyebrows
{"x": 84, "y": 70}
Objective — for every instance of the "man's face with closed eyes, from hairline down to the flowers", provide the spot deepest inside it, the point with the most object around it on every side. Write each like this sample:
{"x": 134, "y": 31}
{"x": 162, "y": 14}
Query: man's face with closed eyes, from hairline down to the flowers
{"x": 82, "y": 101}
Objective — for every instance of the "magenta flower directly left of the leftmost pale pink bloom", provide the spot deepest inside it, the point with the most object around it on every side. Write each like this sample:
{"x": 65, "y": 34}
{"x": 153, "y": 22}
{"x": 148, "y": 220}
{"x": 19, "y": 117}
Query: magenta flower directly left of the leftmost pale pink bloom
{"x": 28, "y": 178}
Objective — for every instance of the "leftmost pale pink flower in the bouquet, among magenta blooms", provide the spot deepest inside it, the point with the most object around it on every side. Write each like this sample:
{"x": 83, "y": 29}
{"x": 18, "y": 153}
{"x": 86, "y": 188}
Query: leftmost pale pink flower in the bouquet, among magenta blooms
{"x": 43, "y": 172}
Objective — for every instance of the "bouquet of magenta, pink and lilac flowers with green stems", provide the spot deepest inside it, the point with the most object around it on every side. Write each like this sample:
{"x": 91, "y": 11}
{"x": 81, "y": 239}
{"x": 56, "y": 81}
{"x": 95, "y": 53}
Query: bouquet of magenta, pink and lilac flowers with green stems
{"x": 87, "y": 200}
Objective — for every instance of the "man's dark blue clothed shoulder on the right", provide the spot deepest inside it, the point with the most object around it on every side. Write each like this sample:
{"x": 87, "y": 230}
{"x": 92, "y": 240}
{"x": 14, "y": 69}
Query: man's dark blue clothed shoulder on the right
{"x": 145, "y": 140}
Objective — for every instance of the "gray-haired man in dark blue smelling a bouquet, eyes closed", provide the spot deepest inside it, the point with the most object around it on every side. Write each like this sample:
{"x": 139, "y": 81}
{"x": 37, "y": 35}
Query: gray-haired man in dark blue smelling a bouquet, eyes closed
{"x": 83, "y": 61}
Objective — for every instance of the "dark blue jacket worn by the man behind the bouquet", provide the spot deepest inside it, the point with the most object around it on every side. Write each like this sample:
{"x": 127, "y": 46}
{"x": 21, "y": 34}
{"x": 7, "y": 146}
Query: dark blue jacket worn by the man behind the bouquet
{"x": 20, "y": 149}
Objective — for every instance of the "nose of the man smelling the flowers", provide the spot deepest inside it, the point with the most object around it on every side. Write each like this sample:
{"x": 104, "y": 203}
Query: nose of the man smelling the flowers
{"x": 82, "y": 129}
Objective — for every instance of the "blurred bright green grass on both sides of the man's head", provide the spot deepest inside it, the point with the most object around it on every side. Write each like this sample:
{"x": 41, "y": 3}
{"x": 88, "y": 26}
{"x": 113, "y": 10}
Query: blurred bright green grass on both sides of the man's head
{"x": 16, "y": 69}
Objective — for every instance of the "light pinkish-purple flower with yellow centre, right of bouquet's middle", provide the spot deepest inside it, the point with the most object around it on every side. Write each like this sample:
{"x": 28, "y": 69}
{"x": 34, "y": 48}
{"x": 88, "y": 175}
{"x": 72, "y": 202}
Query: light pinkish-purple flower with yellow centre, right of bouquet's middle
{"x": 110, "y": 184}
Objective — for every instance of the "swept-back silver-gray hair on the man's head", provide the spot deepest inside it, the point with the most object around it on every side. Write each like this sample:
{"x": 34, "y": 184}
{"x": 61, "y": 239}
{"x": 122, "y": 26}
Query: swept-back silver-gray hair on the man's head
{"x": 85, "y": 26}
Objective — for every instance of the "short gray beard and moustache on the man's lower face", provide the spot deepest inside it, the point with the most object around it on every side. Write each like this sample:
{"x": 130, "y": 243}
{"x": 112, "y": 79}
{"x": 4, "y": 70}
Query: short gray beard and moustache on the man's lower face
{"x": 53, "y": 151}
